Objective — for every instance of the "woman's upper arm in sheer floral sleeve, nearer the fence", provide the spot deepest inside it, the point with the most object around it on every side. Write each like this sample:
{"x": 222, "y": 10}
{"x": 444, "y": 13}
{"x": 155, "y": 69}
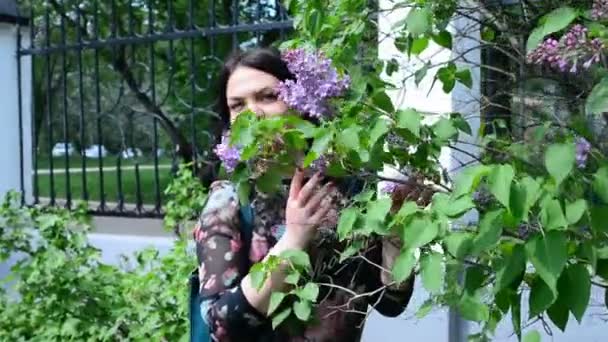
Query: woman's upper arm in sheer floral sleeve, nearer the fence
{"x": 222, "y": 264}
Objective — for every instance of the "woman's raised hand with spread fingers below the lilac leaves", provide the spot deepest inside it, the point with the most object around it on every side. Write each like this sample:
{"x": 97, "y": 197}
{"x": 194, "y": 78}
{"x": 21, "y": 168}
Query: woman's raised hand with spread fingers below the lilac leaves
{"x": 306, "y": 209}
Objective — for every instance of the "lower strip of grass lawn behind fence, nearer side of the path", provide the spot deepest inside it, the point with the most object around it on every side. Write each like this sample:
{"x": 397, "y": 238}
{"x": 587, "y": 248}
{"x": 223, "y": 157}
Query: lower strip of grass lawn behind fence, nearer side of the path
{"x": 110, "y": 180}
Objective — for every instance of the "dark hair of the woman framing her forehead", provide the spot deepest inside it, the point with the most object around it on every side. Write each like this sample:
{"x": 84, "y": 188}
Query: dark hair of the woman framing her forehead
{"x": 267, "y": 60}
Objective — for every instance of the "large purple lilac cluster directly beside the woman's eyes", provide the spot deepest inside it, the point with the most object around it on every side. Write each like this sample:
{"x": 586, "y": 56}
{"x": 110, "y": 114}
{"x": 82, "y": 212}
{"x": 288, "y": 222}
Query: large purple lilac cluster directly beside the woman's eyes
{"x": 316, "y": 81}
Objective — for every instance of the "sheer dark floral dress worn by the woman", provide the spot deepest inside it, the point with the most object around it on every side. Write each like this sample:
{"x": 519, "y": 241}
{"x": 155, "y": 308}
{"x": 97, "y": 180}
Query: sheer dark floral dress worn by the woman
{"x": 224, "y": 260}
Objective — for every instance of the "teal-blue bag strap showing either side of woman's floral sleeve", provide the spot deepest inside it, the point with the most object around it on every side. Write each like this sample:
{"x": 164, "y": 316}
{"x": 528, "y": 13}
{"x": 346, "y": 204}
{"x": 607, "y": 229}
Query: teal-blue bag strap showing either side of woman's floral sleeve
{"x": 199, "y": 330}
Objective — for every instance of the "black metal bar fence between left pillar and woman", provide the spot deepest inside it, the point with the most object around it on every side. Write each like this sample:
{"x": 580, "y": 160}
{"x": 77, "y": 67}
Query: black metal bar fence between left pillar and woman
{"x": 123, "y": 91}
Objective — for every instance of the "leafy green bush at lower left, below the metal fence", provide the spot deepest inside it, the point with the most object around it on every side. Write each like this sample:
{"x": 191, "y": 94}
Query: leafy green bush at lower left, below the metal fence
{"x": 62, "y": 290}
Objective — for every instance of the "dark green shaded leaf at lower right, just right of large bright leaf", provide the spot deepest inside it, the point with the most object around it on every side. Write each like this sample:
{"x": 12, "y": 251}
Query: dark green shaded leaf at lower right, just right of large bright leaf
{"x": 578, "y": 290}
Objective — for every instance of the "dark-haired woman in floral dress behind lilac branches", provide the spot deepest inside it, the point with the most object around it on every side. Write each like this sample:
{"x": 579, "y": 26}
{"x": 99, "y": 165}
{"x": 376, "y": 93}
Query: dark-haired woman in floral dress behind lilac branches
{"x": 302, "y": 216}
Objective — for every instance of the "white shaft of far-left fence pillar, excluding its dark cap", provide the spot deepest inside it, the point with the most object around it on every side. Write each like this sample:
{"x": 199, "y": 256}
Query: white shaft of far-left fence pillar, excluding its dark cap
{"x": 9, "y": 112}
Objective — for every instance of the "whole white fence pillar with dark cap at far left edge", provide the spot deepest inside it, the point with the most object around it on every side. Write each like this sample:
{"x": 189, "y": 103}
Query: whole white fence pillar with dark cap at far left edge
{"x": 15, "y": 103}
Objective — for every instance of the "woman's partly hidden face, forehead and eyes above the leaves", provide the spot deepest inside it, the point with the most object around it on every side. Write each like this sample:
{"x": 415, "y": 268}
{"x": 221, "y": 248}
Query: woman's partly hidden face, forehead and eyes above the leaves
{"x": 252, "y": 89}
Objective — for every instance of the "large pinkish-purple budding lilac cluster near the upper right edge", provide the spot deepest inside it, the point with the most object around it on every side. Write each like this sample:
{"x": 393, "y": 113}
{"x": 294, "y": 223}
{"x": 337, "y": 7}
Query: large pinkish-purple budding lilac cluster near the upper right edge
{"x": 573, "y": 50}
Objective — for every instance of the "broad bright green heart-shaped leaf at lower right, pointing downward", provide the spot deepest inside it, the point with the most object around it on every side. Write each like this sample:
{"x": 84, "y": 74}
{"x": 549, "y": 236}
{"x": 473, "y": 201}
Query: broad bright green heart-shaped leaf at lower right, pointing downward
{"x": 548, "y": 254}
